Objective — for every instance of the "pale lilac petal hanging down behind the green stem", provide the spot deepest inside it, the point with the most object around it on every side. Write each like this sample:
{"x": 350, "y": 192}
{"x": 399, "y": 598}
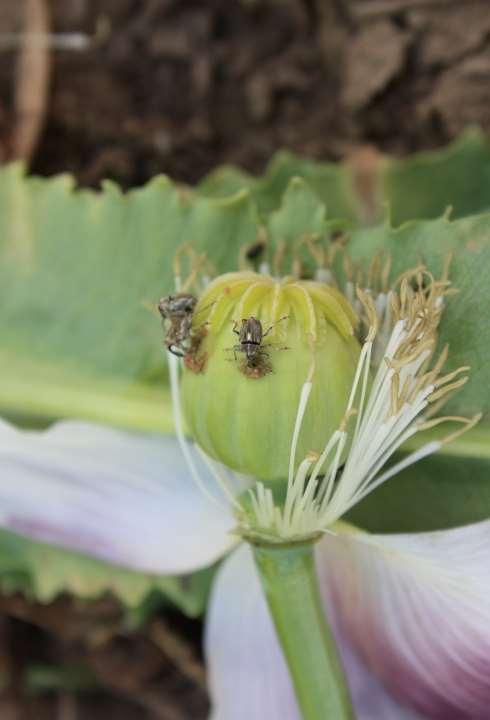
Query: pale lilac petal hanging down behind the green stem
{"x": 247, "y": 673}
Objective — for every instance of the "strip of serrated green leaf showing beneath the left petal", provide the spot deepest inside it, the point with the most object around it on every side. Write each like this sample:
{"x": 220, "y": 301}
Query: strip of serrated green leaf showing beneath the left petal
{"x": 43, "y": 572}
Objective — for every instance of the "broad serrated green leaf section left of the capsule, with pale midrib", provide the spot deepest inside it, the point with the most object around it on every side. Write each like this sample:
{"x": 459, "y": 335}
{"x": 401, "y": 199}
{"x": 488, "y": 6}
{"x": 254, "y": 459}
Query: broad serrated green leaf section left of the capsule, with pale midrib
{"x": 78, "y": 270}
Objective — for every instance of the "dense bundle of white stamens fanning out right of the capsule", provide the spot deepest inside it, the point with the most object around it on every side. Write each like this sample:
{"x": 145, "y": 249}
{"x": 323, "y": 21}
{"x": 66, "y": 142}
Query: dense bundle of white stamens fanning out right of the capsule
{"x": 388, "y": 414}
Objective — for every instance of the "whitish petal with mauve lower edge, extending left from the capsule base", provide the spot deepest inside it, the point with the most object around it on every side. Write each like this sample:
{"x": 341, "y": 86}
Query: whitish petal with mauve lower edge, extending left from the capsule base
{"x": 119, "y": 496}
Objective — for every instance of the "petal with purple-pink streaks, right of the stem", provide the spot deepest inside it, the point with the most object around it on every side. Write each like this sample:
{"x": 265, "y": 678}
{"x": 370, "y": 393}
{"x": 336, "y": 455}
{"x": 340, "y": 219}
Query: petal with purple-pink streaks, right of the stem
{"x": 417, "y": 608}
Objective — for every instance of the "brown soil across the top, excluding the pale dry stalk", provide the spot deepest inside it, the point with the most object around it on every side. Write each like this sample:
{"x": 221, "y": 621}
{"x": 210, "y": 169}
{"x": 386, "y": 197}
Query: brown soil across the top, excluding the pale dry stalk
{"x": 178, "y": 86}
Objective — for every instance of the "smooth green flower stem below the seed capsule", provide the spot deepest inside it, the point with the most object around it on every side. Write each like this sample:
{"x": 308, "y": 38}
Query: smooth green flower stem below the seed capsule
{"x": 290, "y": 585}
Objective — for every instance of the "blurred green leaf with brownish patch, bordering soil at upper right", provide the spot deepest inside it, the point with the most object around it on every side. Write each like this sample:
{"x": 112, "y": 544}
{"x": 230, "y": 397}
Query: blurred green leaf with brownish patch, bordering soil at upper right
{"x": 368, "y": 185}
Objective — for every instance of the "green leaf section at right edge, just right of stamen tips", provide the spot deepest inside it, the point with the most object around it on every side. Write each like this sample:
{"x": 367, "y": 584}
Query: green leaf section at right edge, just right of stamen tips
{"x": 465, "y": 323}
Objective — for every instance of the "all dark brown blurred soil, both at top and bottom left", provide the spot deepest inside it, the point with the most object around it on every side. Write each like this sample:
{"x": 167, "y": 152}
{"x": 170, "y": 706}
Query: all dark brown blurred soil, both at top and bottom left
{"x": 126, "y": 89}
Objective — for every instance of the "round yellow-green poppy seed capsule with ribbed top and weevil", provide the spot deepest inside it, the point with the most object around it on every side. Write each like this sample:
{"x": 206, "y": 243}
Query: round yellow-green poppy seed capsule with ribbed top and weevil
{"x": 241, "y": 386}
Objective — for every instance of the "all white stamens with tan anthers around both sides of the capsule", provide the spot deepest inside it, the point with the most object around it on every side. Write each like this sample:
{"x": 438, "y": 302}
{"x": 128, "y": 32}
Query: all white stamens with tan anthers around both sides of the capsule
{"x": 390, "y": 409}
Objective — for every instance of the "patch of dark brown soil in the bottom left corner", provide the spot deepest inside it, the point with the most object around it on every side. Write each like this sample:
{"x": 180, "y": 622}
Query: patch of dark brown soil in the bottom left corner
{"x": 77, "y": 661}
